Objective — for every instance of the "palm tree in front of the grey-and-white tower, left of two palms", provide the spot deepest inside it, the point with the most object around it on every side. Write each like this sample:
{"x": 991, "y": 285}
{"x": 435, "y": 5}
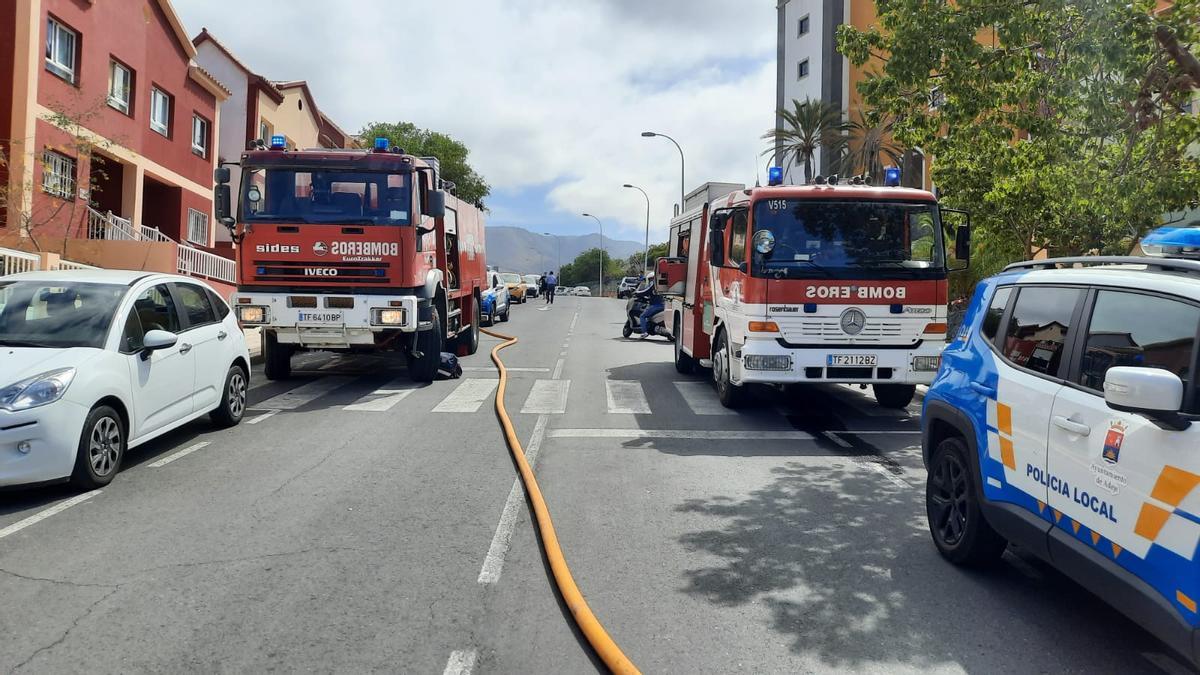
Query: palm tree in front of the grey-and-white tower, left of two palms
{"x": 807, "y": 127}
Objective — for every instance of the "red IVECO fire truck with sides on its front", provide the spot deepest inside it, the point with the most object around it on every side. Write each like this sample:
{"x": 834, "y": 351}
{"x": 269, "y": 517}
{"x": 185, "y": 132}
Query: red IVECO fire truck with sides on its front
{"x": 353, "y": 252}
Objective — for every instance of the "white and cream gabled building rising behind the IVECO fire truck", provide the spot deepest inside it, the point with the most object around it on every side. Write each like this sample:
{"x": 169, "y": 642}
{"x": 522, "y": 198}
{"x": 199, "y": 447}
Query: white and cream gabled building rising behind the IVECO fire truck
{"x": 261, "y": 109}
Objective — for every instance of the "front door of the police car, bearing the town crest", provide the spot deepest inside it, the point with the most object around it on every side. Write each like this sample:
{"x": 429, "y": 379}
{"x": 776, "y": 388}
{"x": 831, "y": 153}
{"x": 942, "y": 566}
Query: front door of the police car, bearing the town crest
{"x": 1127, "y": 487}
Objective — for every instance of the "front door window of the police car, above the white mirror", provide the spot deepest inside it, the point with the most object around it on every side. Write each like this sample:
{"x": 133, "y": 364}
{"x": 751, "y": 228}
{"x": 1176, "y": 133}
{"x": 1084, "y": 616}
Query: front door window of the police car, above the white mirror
{"x": 1139, "y": 331}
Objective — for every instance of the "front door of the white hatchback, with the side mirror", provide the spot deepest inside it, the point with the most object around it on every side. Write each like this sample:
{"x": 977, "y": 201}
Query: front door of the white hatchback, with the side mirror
{"x": 161, "y": 381}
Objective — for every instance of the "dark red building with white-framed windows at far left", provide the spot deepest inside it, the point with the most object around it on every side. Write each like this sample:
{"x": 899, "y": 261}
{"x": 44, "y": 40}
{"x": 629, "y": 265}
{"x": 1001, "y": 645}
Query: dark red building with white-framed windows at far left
{"x": 110, "y": 135}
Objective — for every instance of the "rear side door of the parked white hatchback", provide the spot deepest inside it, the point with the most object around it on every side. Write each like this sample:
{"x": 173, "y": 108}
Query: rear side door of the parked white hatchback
{"x": 209, "y": 341}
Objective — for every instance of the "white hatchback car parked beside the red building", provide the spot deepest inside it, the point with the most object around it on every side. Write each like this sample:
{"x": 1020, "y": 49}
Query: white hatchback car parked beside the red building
{"x": 97, "y": 362}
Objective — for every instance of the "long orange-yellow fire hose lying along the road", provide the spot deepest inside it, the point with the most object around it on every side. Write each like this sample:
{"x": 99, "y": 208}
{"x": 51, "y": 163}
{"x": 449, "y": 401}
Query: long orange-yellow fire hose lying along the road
{"x": 589, "y": 624}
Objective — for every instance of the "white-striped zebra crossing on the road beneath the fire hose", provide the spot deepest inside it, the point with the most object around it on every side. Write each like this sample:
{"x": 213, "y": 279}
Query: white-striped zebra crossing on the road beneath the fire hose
{"x": 545, "y": 396}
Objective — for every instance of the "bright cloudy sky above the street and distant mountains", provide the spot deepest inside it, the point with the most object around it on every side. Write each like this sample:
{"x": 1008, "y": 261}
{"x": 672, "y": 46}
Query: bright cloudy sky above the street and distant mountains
{"x": 551, "y": 97}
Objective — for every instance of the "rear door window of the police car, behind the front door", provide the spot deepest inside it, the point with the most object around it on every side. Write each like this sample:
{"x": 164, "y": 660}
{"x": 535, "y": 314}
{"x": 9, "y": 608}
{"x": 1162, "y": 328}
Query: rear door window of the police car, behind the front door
{"x": 1039, "y": 330}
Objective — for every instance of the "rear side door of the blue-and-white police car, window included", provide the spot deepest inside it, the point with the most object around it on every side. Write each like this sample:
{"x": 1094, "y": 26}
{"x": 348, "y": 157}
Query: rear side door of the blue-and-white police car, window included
{"x": 1033, "y": 344}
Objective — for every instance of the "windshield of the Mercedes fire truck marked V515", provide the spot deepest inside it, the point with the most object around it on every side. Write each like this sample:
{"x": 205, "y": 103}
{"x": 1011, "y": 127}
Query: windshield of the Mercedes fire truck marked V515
{"x": 850, "y": 240}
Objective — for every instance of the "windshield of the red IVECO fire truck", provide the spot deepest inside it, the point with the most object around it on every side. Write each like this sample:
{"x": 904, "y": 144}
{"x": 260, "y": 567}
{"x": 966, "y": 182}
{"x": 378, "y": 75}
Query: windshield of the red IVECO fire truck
{"x": 321, "y": 196}
